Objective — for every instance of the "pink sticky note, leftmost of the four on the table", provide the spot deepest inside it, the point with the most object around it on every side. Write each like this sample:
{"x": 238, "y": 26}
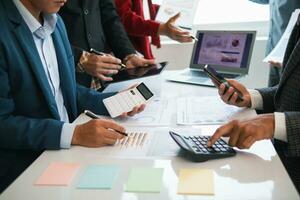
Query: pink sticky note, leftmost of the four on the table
{"x": 57, "y": 173}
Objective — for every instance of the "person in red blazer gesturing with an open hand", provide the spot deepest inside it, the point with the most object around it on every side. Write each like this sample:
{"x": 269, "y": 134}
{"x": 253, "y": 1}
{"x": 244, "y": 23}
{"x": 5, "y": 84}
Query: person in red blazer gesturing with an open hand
{"x": 139, "y": 29}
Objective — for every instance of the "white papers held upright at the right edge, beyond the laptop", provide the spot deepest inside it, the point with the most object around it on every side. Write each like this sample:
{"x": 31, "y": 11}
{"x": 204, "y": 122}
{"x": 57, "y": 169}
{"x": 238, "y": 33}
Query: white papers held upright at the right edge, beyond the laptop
{"x": 277, "y": 54}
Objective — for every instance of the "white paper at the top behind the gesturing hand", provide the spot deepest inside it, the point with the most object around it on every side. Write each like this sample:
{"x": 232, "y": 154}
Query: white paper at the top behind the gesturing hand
{"x": 187, "y": 8}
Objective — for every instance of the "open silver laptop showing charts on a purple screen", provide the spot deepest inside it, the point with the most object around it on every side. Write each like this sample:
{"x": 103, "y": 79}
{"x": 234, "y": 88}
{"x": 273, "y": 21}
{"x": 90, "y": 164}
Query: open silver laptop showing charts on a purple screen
{"x": 228, "y": 52}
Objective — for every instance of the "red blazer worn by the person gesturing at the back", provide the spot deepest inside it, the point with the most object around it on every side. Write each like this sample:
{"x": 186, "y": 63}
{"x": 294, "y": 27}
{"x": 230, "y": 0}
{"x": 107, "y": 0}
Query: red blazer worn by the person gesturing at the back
{"x": 139, "y": 29}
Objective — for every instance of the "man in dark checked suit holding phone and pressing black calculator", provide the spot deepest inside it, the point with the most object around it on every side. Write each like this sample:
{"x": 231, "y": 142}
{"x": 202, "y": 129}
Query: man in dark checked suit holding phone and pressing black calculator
{"x": 280, "y": 112}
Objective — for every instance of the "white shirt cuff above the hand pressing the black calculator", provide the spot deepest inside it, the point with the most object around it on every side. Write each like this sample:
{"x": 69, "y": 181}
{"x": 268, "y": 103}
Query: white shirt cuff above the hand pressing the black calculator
{"x": 280, "y": 127}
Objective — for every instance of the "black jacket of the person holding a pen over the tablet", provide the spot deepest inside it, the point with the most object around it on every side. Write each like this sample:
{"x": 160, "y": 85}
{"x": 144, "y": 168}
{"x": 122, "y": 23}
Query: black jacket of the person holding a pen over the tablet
{"x": 95, "y": 24}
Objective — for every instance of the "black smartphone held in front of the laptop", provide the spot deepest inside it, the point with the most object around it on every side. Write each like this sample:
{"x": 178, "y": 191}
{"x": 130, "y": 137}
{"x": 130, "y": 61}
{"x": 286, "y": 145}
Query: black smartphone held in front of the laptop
{"x": 219, "y": 79}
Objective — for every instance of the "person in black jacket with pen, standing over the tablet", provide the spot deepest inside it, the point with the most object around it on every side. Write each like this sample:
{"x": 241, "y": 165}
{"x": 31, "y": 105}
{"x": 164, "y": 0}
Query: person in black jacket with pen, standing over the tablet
{"x": 96, "y": 24}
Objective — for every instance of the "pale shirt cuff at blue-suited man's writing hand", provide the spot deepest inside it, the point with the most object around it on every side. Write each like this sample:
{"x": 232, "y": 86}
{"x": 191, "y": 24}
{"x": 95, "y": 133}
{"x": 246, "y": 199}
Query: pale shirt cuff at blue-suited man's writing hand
{"x": 67, "y": 135}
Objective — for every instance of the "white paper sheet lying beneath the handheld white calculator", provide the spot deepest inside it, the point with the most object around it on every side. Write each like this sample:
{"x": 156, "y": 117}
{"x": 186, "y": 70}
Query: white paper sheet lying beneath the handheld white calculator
{"x": 157, "y": 113}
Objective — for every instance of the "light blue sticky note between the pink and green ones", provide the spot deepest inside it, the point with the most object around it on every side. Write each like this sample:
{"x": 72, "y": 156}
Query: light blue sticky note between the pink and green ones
{"x": 98, "y": 177}
